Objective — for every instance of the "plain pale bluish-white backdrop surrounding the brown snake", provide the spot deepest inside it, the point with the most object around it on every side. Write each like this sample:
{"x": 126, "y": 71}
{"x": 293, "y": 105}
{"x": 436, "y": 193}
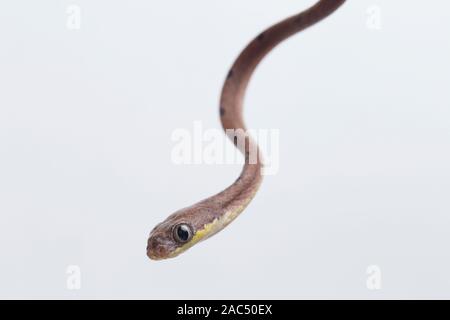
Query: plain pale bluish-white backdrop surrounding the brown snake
{"x": 86, "y": 118}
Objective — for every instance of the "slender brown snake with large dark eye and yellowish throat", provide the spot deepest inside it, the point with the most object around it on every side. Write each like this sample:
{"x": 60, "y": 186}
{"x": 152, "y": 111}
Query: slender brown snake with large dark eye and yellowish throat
{"x": 191, "y": 225}
